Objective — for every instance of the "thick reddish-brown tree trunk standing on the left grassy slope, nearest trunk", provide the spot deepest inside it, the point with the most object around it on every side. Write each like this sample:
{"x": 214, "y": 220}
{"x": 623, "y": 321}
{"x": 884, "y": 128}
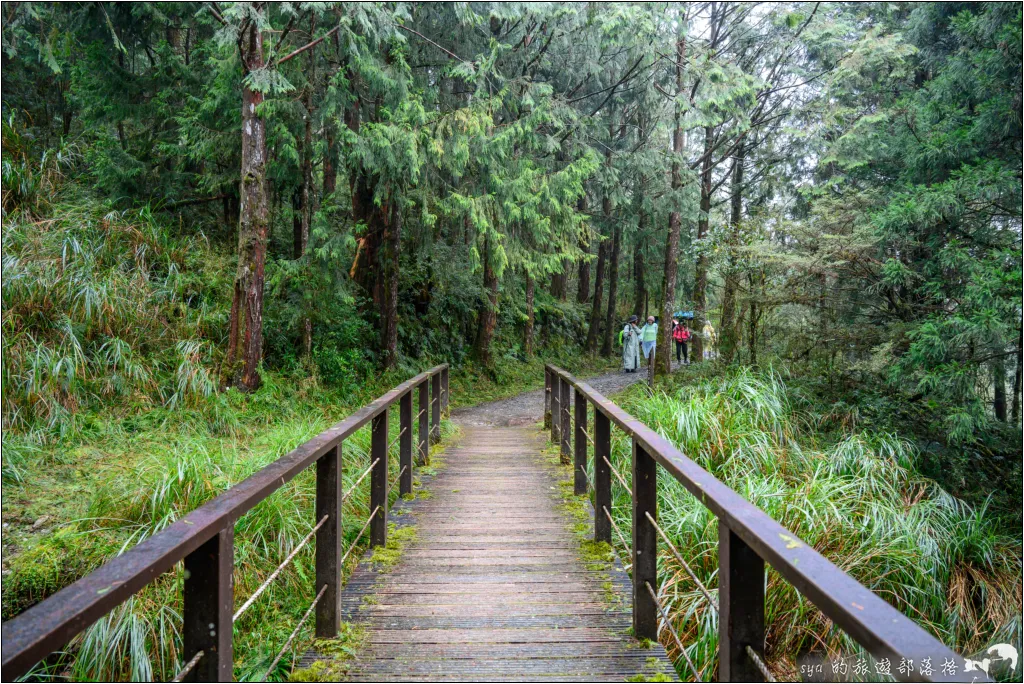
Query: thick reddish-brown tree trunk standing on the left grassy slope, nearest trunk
{"x": 246, "y": 339}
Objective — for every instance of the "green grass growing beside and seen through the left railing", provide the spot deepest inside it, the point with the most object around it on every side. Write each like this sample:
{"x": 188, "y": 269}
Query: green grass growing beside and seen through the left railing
{"x": 142, "y": 639}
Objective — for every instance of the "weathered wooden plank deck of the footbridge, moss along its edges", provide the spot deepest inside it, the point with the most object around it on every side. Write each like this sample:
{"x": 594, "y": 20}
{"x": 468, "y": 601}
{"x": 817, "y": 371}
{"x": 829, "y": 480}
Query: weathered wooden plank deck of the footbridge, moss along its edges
{"x": 493, "y": 586}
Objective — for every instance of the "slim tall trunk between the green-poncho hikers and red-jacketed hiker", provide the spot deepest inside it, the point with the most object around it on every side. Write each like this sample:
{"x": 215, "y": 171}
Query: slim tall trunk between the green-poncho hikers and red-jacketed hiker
{"x": 664, "y": 358}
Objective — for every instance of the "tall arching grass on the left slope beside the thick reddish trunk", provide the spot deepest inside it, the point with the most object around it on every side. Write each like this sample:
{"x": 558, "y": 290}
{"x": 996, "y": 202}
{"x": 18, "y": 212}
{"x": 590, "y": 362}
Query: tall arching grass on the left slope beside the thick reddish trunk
{"x": 102, "y": 307}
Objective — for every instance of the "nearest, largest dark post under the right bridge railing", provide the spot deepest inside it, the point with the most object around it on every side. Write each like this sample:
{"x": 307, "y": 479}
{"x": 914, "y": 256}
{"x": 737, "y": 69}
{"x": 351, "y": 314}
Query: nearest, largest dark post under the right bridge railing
{"x": 742, "y": 608}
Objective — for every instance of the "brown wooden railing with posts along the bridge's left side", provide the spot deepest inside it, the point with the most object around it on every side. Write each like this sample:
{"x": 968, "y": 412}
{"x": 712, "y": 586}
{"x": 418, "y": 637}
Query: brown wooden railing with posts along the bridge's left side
{"x": 204, "y": 541}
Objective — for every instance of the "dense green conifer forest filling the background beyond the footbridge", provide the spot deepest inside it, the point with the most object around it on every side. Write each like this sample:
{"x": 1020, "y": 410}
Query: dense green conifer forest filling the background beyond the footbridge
{"x": 344, "y": 186}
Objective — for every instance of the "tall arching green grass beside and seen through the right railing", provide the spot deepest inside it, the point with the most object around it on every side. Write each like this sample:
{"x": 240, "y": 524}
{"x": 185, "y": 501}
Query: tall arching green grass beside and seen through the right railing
{"x": 857, "y": 499}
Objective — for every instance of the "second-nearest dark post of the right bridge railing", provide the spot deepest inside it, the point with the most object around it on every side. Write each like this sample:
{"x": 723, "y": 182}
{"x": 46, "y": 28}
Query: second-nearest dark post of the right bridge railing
{"x": 645, "y": 544}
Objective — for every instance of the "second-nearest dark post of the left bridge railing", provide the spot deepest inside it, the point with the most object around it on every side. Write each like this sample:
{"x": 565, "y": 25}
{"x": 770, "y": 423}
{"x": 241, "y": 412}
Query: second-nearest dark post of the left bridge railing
{"x": 329, "y": 543}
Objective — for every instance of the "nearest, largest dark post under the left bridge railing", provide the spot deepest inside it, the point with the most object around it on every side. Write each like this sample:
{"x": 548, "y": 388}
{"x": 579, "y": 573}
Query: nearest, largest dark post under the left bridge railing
{"x": 208, "y": 604}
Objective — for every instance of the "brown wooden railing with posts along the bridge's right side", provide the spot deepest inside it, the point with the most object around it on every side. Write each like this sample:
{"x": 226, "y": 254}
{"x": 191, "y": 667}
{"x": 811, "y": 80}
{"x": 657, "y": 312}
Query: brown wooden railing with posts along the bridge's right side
{"x": 748, "y": 538}
